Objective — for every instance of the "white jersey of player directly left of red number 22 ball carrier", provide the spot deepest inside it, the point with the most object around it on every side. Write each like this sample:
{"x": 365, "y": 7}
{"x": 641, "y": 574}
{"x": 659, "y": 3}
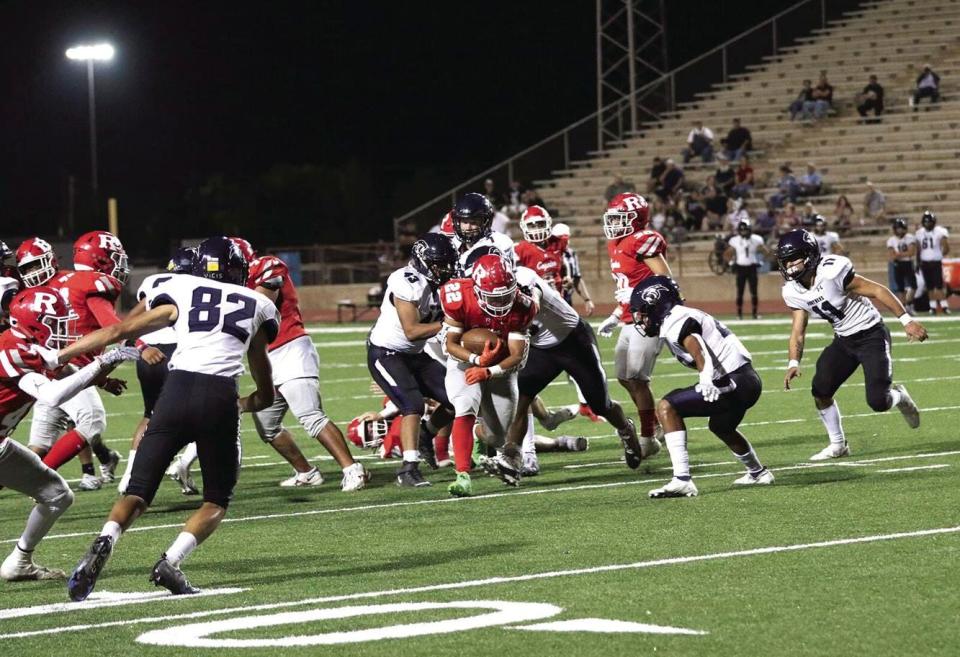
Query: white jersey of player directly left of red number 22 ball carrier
{"x": 406, "y": 284}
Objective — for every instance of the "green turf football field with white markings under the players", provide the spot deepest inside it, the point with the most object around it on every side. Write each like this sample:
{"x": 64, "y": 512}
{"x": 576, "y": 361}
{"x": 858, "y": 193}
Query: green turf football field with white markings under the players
{"x": 851, "y": 557}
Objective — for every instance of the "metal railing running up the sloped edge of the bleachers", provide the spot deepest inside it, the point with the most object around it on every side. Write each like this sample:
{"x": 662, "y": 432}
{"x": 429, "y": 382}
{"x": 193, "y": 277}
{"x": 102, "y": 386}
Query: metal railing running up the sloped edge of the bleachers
{"x": 582, "y": 139}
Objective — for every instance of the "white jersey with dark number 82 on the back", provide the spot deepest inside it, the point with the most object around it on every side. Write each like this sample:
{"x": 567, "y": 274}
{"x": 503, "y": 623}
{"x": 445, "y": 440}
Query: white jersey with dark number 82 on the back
{"x": 215, "y": 322}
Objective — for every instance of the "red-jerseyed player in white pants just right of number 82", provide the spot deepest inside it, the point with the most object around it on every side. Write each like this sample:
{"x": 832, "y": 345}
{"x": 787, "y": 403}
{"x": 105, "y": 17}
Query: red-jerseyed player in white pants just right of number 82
{"x": 296, "y": 376}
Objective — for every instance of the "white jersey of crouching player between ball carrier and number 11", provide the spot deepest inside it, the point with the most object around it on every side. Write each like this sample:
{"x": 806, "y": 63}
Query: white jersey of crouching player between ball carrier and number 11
{"x": 726, "y": 351}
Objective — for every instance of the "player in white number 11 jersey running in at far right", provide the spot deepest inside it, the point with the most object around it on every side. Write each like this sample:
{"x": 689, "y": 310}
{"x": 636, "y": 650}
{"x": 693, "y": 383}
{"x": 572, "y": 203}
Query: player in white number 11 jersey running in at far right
{"x": 831, "y": 289}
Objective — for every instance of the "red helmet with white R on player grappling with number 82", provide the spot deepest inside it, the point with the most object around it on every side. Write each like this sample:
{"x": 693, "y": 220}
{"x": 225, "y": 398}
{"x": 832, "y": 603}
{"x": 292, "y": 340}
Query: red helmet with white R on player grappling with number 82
{"x": 39, "y": 314}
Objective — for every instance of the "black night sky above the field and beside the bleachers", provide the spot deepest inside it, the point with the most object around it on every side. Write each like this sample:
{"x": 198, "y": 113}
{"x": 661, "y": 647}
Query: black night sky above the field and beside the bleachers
{"x": 411, "y": 96}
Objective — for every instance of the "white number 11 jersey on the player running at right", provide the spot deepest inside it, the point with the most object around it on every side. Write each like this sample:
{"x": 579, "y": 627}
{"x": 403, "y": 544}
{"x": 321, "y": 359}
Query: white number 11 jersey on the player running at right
{"x": 828, "y": 298}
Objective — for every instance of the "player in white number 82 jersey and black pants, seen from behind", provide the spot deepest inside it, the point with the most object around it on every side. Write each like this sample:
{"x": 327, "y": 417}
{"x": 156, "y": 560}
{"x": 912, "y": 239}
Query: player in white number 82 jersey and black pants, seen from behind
{"x": 217, "y": 320}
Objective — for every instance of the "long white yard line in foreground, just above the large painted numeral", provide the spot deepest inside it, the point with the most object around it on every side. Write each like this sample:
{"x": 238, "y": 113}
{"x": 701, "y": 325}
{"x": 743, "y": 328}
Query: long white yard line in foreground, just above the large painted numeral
{"x": 492, "y": 581}
